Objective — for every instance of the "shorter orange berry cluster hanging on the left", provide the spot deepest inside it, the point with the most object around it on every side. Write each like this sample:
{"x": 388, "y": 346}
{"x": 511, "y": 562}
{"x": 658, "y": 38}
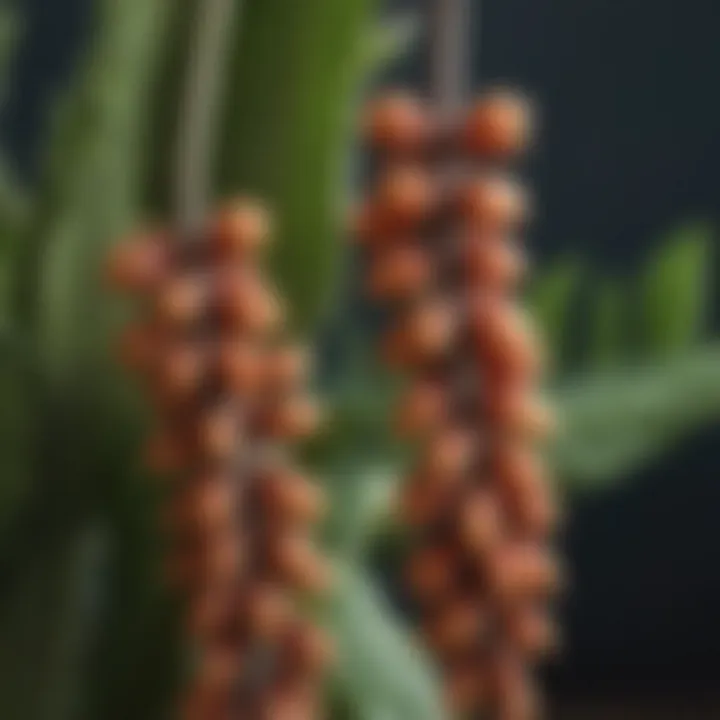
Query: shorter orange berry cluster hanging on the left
{"x": 227, "y": 391}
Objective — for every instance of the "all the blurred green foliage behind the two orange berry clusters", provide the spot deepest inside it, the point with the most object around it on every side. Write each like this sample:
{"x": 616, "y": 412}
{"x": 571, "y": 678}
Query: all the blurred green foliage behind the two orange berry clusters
{"x": 86, "y": 629}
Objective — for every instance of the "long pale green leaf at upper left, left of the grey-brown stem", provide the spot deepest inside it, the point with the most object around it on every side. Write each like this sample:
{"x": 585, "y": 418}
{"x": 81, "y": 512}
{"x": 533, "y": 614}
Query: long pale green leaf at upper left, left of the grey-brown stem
{"x": 88, "y": 196}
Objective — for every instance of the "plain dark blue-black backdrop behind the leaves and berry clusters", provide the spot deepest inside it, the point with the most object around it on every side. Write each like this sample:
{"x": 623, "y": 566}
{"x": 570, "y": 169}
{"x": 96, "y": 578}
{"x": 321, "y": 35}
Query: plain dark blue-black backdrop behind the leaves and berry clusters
{"x": 630, "y": 148}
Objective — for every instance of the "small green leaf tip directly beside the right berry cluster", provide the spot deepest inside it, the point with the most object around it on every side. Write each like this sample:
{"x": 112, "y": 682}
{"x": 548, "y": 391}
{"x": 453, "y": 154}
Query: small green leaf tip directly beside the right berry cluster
{"x": 551, "y": 301}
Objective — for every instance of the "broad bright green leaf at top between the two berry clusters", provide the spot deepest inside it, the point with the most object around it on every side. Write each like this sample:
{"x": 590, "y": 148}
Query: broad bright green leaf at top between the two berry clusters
{"x": 294, "y": 82}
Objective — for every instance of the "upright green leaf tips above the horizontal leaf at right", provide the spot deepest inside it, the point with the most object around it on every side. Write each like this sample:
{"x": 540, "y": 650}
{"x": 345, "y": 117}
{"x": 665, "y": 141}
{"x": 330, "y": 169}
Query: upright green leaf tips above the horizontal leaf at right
{"x": 662, "y": 314}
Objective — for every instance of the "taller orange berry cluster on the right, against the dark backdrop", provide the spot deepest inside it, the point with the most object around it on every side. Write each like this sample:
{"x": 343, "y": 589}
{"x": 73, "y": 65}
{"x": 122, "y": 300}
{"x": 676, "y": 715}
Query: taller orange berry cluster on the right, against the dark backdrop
{"x": 440, "y": 234}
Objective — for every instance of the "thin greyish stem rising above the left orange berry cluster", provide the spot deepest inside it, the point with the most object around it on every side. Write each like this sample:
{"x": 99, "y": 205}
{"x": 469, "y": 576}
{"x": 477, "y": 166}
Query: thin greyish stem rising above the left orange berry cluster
{"x": 198, "y": 113}
